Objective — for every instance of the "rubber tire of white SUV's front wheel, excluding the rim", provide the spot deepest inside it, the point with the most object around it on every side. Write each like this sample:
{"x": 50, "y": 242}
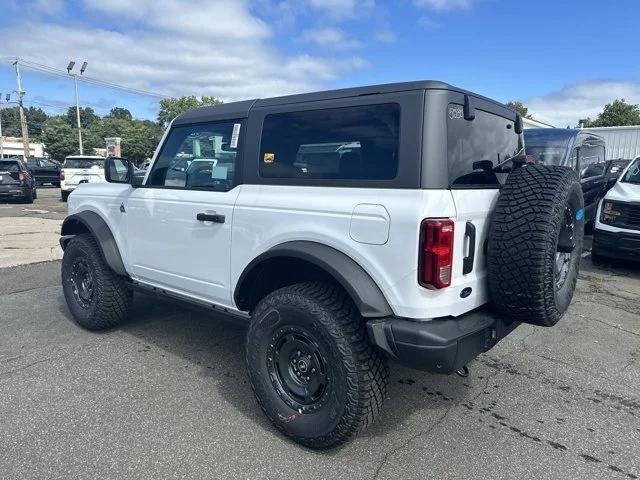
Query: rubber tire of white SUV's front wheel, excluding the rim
{"x": 112, "y": 296}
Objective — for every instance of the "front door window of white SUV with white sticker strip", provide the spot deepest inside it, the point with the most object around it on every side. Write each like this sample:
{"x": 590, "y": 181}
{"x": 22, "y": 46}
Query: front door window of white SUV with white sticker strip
{"x": 199, "y": 156}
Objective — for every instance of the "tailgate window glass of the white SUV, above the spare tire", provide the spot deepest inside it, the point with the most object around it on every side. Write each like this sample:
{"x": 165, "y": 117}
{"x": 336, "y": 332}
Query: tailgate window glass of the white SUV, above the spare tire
{"x": 479, "y": 150}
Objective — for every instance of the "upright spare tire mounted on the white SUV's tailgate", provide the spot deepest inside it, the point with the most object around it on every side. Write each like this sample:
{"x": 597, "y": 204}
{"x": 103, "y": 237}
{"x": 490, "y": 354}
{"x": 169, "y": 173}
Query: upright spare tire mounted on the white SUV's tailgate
{"x": 535, "y": 244}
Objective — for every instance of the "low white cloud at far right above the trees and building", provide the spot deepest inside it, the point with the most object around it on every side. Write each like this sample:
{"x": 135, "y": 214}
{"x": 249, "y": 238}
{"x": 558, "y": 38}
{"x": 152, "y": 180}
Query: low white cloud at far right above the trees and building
{"x": 580, "y": 100}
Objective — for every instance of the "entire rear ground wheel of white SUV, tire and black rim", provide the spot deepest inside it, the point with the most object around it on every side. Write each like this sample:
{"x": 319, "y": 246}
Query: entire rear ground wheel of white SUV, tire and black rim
{"x": 311, "y": 368}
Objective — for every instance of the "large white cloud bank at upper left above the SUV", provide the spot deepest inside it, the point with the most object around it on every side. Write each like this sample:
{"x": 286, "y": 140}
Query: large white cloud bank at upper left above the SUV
{"x": 175, "y": 48}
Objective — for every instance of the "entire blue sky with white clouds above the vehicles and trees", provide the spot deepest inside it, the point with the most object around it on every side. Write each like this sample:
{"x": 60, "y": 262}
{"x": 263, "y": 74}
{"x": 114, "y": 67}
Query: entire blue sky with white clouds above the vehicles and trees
{"x": 564, "y": 59}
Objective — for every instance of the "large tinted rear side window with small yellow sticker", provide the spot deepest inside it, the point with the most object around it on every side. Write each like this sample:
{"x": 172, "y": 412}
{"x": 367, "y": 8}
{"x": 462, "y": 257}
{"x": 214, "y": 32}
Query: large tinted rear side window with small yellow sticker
{"x": 359, "y": 143}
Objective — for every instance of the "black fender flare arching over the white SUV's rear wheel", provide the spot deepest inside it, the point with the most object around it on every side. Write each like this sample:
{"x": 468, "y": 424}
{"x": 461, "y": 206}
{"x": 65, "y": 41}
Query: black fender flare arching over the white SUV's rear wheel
{"x": 364, "y": 291}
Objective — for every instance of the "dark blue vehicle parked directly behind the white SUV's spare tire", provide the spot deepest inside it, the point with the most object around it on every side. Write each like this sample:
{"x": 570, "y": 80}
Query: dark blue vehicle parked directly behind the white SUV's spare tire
{"x": 582, "y": 151}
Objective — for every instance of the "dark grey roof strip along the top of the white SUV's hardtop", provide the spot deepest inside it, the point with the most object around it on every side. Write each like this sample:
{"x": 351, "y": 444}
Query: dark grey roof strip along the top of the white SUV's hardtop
{"x": 241, "y": 109}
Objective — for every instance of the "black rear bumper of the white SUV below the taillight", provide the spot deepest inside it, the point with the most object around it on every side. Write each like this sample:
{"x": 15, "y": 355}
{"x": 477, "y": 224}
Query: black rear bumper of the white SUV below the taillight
{"x": 441, "y": 345}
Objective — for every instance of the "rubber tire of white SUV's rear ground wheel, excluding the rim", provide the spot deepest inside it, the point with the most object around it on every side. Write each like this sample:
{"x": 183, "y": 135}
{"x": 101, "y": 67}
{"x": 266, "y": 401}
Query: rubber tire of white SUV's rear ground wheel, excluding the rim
{"x": 358, "y": 381}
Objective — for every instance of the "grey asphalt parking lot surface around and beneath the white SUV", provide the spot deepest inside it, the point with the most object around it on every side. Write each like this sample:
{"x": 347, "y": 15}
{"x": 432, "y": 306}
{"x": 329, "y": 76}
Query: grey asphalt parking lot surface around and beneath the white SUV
{"x": 165, "y": 396}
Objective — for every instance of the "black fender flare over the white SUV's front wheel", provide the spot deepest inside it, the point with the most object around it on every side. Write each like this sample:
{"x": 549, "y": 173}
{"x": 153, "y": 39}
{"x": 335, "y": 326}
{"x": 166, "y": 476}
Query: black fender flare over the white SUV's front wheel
{"x": 97, "y": 226}
